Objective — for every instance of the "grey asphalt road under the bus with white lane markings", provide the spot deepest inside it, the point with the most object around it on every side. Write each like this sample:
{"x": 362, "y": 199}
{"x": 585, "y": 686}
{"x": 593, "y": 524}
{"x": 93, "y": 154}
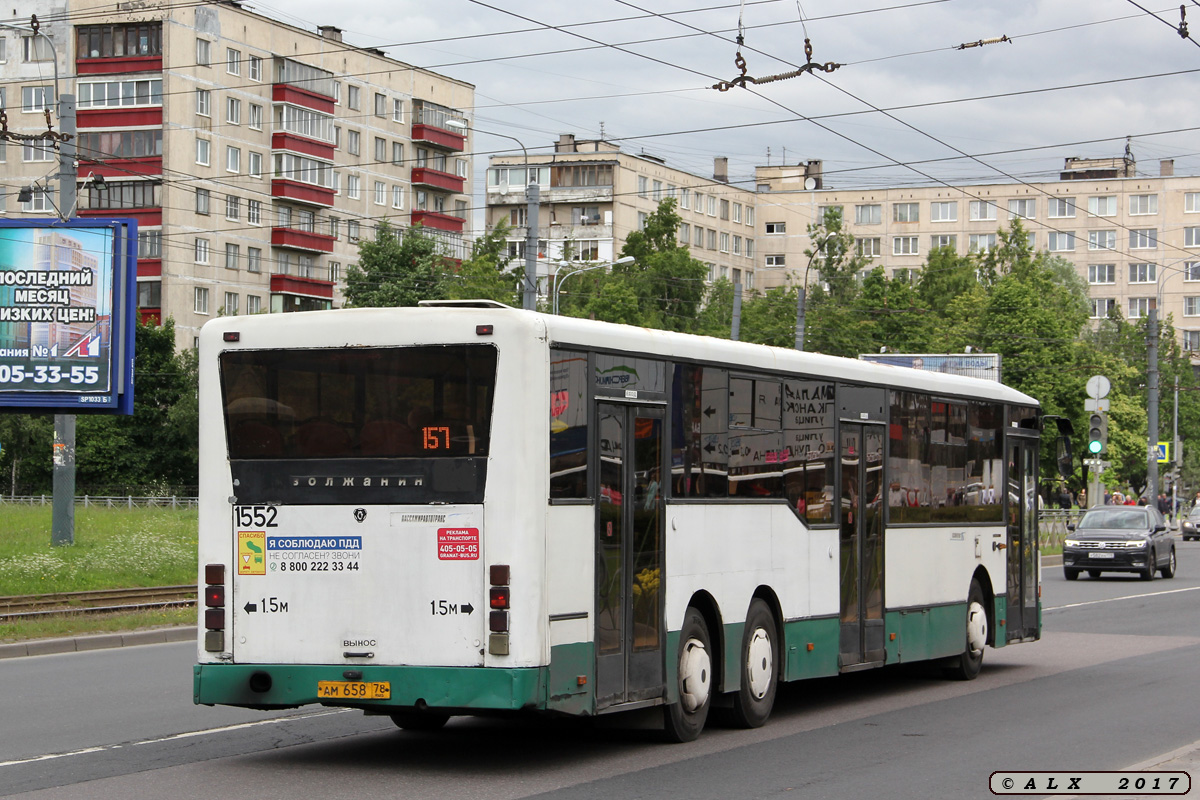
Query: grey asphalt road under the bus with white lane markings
{"x": 1109, "y": 687}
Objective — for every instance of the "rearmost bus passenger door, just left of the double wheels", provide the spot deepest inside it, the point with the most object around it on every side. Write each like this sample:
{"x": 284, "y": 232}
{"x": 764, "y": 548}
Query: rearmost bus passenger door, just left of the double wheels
{"x": 629, "y": 591}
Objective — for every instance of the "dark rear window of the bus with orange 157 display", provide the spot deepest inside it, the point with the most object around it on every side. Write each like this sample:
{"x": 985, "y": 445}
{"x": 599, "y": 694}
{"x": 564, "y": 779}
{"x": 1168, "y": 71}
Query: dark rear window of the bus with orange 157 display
{"x": 412, "y": 402}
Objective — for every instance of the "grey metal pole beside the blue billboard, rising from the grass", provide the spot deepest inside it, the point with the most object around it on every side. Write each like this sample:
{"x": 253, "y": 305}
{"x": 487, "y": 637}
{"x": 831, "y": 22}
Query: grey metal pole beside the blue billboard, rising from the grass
{"x": 63, "y": 516}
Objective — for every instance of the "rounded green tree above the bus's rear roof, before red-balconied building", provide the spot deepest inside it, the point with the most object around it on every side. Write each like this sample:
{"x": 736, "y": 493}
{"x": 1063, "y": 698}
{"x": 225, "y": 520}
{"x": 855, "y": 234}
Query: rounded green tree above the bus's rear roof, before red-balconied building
{"x": 397, "y": 269}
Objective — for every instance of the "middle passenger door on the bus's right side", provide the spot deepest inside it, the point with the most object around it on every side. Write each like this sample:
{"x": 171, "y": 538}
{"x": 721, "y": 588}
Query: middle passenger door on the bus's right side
{"x": 861, "y": 548}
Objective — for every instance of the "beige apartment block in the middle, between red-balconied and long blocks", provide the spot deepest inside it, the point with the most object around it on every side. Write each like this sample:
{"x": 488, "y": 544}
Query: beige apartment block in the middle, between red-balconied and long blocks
{"x": 595, "y": 195}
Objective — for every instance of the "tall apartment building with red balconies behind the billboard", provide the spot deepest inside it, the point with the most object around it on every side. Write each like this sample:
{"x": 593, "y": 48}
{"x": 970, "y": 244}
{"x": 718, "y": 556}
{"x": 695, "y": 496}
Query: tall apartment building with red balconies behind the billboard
{"x": 254, "y": 154}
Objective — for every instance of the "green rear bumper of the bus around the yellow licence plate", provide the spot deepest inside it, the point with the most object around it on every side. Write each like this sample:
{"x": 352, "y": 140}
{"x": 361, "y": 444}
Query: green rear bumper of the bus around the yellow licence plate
{"x": 280, "y": 687}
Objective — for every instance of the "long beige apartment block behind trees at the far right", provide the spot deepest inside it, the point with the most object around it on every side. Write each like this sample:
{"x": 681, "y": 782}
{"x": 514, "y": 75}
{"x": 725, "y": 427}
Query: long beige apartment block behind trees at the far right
{"x": 1131, "y": 237}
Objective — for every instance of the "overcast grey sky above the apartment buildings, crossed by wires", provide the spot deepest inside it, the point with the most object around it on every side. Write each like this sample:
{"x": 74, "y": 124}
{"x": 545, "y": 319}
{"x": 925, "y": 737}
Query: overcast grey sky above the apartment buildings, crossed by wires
{"x": 1078, "y": 77}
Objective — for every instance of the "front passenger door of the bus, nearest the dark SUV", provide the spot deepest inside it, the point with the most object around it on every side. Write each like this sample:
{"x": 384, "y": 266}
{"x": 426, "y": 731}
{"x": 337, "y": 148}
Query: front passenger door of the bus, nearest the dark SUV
{"x": 1023, "y": 540}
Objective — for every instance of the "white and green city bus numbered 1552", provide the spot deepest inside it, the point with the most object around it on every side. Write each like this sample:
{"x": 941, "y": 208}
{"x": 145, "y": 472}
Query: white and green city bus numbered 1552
{"x": 470, "y": 509}
